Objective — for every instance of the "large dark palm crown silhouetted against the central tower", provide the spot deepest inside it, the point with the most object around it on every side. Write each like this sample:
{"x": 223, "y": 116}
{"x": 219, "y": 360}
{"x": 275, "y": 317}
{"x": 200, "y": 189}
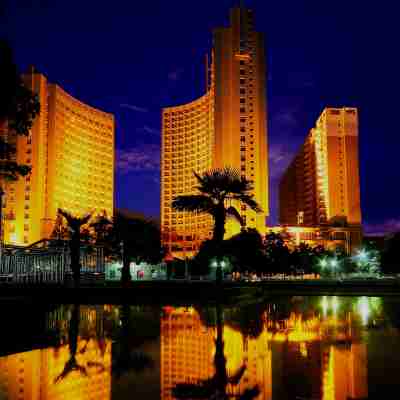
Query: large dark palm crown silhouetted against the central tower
{"x": 218, "y": 188}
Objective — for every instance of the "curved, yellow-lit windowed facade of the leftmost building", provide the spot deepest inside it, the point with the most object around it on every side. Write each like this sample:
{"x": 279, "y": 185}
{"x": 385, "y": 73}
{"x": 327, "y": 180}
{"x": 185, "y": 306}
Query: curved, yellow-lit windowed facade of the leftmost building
{"x": 81, "y": 156}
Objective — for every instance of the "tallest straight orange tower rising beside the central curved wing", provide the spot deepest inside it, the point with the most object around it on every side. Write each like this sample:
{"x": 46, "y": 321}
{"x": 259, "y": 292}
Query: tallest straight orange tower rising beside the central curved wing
{"x": 241, "y": 108}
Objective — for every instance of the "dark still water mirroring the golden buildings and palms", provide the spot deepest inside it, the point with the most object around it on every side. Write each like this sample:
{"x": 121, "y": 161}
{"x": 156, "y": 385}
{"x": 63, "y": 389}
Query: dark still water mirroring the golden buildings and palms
{"x": 275, "y": 348}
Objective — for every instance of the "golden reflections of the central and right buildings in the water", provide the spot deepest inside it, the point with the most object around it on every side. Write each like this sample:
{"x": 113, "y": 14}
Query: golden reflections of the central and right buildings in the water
{"x": 304, "y": 355}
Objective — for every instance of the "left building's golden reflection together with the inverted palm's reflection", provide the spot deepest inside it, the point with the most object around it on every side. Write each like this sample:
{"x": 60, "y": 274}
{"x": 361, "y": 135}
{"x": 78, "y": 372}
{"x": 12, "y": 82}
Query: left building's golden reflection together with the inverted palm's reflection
{"x": 79, "y": 368}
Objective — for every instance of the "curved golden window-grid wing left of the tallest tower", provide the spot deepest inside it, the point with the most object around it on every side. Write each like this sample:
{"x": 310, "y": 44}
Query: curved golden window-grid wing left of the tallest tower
{"x": 187, "y": 146}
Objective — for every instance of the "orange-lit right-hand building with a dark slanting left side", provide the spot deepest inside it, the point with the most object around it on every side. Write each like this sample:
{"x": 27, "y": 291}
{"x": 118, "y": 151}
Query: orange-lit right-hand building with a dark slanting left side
{"x": 321, "y": 187}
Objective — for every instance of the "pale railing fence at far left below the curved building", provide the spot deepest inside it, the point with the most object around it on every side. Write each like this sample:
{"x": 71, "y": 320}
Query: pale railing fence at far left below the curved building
{"x": 48, "y": 265}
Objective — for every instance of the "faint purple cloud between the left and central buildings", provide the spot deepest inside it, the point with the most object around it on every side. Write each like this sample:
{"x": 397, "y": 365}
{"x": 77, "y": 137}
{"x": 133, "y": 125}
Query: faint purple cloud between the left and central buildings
{"x": 144, "y": 158}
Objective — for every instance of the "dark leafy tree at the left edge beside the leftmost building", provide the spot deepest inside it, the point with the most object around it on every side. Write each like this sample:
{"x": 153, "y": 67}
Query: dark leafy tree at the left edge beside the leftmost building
{"x": 18, "y": 109}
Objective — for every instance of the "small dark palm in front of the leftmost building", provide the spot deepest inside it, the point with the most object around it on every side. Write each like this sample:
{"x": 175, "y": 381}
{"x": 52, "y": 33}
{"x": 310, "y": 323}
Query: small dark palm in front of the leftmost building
{"x": 75, "y": 224}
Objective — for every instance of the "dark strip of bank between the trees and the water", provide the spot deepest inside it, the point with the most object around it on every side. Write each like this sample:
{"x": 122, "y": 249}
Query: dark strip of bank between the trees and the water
{"x": 176, "y": 291}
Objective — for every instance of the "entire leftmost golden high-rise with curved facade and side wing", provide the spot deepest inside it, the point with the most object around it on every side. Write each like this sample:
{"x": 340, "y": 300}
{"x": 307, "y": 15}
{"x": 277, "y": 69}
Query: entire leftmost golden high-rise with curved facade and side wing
{"x": 70, "y": 149}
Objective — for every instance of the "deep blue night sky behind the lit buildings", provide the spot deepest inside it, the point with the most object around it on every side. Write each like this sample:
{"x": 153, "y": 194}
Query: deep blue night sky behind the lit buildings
{"x": 131, "y": 58}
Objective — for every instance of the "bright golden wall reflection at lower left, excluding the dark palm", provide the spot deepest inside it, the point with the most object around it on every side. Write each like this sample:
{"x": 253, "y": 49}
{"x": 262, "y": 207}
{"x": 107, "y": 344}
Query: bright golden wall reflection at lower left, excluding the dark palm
{"x": 31, "y": 375}
